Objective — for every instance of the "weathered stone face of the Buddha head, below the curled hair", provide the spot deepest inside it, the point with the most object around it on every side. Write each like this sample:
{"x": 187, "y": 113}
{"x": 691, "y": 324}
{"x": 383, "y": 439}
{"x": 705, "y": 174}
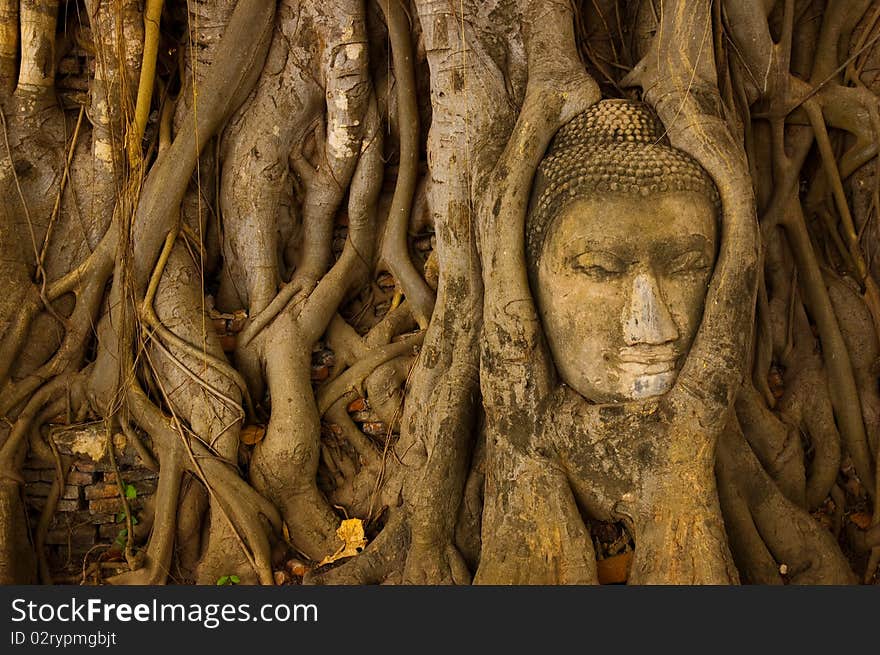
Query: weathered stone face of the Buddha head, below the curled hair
{"x": 620, "y": 288}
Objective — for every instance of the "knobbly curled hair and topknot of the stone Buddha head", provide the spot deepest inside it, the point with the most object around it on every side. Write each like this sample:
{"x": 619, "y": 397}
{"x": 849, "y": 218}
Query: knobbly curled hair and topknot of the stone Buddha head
{"x": 616, "y": 147}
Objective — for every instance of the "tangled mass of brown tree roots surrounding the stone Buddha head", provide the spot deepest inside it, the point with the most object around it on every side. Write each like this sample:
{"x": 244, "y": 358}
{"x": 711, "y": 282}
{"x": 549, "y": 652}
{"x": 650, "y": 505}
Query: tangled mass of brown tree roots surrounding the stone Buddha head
{"x": 225, "y": 166}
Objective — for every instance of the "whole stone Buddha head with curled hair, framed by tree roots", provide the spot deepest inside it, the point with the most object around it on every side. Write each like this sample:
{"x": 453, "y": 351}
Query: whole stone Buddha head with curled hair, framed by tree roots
{"x": 621, "y": 242}
